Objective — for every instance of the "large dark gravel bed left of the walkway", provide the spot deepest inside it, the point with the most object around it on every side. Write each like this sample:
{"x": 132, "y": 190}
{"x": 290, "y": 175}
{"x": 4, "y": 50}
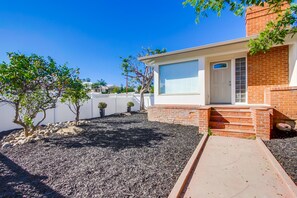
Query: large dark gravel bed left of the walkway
{"x": 117, "y": 156}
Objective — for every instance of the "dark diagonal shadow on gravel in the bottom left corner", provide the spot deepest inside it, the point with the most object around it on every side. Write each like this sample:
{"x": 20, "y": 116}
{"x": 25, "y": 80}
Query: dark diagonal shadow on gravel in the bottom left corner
{"x": 12, "y": 176}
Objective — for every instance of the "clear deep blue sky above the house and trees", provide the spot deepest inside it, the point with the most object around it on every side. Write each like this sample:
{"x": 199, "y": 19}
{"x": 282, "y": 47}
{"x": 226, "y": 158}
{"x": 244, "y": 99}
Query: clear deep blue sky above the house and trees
{"x": 92, "y": 35}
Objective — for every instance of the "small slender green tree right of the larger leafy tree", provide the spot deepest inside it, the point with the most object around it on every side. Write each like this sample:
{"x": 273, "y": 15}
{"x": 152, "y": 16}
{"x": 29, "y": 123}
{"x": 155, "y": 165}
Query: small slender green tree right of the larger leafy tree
{"x": 75, "y": 94}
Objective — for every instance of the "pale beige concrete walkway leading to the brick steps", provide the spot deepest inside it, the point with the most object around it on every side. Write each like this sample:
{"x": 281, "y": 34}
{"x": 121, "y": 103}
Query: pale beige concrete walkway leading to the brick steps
{"x": 233, "y": 167}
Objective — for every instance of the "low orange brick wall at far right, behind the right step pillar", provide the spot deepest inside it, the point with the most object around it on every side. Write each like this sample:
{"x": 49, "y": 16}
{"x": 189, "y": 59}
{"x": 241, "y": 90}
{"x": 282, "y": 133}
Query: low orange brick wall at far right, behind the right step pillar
{"x": 284, "y": 102}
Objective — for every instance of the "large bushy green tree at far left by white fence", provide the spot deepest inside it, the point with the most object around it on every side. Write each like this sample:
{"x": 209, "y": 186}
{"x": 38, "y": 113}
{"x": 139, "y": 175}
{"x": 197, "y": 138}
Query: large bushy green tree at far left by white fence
{"x": 32, "y": 85}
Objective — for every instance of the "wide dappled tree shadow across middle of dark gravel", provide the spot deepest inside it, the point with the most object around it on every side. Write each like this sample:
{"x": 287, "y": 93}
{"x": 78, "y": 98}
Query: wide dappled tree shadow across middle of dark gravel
{"x": 114, "y": 139}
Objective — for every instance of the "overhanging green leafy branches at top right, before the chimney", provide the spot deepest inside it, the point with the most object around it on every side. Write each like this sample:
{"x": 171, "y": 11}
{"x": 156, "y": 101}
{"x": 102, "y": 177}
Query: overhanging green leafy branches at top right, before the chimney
{"x": 275, "y": 32}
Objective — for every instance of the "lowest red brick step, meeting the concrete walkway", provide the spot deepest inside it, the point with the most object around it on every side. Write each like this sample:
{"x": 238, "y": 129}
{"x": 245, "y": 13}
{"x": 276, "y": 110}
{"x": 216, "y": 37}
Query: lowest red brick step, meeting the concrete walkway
{"x": 234, "y": 133}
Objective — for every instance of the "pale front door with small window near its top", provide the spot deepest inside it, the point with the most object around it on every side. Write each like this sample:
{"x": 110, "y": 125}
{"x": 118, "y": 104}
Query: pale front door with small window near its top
{"x": 220, "y": 82}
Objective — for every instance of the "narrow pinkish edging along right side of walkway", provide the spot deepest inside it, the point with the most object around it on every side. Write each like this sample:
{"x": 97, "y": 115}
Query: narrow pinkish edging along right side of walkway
{"x": 281, "y": 172}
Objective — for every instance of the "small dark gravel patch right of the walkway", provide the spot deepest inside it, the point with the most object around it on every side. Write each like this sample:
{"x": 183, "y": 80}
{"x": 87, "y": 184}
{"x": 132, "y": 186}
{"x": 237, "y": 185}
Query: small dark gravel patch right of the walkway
{"x": 284, "y": 149}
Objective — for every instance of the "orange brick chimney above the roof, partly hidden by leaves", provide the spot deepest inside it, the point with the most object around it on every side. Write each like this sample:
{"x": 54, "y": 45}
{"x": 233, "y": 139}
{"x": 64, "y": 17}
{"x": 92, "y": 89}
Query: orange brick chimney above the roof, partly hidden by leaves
{"x": 257, "y": 17}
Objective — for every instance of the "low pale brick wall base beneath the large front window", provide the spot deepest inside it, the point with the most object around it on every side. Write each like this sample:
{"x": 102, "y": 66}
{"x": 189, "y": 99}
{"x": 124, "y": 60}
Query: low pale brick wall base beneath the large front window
{"x": 175, "y": 114}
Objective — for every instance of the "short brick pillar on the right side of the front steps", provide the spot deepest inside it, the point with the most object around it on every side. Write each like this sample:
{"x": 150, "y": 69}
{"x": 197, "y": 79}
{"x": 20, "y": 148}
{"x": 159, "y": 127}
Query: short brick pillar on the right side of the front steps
{"x": 262, "y": 119}
